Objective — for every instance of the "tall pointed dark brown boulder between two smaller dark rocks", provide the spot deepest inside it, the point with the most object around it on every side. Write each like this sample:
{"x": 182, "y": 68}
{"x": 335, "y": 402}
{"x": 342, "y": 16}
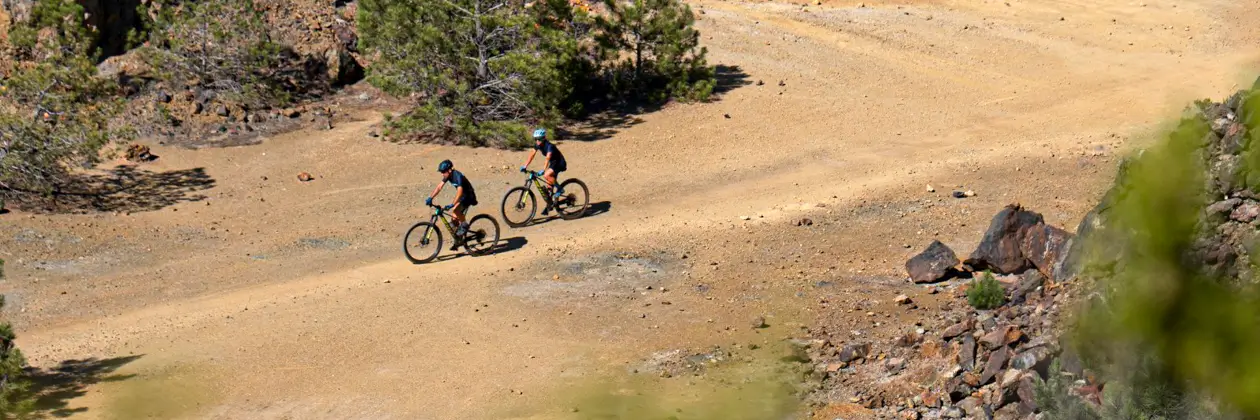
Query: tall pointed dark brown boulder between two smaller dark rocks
{"x": 1001, "y": 247}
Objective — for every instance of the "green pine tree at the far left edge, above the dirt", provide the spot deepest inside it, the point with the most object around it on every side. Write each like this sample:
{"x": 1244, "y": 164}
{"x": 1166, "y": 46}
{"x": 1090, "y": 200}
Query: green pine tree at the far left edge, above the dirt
{"x": 55, "y": 114}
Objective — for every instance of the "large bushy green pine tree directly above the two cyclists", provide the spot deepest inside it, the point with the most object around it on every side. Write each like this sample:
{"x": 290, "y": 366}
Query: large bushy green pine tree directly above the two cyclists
{"x": 476, "y": 67}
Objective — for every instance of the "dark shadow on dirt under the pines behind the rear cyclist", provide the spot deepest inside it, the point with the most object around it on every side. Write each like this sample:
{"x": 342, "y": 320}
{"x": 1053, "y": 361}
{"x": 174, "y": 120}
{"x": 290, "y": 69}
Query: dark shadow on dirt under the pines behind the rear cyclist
{"x": 608, "y": 118}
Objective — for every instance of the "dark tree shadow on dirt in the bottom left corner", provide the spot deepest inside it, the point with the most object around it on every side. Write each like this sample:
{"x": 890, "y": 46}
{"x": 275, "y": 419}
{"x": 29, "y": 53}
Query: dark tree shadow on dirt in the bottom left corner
{"x": 54, "y": 389}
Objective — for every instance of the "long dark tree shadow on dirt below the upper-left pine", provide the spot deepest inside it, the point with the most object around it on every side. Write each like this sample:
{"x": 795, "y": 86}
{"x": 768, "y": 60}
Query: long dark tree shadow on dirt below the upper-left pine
{"x": 123, "y": 190}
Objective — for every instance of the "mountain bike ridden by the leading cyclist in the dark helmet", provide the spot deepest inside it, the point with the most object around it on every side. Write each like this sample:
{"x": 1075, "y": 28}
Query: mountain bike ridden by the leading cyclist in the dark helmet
{"x": 424, "y": 240}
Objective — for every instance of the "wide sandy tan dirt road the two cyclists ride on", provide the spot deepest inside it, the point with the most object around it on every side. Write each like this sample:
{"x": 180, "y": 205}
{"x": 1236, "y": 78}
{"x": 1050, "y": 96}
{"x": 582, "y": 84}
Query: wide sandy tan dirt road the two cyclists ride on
{"x": 221, "y": 287}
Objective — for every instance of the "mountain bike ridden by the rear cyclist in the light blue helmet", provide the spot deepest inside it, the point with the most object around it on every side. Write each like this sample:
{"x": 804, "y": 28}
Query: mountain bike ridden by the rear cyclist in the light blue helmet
{"x": 521, "y": 204}
